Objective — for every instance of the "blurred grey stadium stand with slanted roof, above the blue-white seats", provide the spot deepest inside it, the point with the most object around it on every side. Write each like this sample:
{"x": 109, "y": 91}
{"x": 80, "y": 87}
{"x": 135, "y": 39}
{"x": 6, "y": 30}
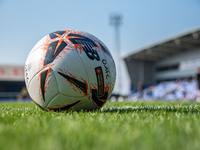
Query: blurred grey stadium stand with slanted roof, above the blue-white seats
{"x": 171, "y": 59}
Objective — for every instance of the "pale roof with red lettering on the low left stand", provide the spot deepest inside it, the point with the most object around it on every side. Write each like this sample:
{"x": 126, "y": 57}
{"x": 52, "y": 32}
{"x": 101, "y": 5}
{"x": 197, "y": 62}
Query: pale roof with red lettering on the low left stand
{"x": 11, "y": 73}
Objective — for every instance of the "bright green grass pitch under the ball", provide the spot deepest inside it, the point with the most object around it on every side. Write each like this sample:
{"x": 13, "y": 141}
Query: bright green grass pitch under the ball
{"x": 117, "y": 126}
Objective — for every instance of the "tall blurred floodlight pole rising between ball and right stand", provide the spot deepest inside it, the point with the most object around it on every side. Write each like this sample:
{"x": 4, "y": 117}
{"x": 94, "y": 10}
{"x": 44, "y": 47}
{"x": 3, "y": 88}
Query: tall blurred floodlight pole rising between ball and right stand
{"x": 115, "y": 20}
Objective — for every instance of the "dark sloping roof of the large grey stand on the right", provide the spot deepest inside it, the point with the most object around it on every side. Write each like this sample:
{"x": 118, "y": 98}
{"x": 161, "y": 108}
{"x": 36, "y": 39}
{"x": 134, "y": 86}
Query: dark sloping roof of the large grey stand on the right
{"x": 174, "y": 45}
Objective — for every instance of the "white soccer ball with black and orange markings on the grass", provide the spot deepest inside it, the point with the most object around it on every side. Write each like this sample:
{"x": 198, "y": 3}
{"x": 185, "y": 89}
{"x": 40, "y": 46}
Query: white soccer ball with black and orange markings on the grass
{"x": 70, "y": 69}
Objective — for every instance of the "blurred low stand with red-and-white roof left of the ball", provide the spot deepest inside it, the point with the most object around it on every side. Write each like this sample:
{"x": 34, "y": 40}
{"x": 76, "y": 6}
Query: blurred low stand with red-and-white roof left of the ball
{"x": 11, "y": 81}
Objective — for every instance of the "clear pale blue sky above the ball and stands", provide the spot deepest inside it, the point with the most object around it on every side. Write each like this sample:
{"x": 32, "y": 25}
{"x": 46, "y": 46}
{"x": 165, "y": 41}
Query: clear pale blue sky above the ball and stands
{"x": 24, "y": 23}
